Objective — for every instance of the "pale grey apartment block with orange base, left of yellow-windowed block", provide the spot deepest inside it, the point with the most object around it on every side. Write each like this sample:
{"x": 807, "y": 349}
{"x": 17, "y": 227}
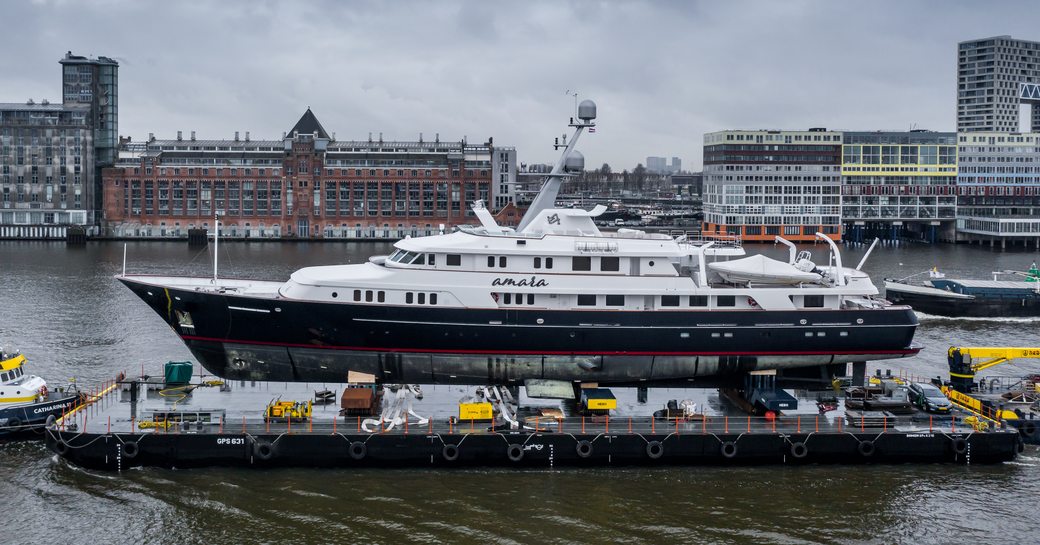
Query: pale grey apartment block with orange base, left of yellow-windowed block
{"x": 760, "y": 185}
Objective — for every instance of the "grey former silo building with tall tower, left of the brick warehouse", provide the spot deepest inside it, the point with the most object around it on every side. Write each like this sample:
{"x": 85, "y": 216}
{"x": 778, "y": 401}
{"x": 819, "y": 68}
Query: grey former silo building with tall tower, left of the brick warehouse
{"x": 51, "y": 154}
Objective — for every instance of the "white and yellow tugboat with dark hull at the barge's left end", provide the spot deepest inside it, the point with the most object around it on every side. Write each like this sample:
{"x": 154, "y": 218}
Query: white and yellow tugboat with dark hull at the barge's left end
{"x": 27, "y": 405}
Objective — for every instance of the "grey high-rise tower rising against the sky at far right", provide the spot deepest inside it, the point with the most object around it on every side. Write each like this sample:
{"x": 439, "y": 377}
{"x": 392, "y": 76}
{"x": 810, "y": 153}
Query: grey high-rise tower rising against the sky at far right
{"x": 995, "y": 76}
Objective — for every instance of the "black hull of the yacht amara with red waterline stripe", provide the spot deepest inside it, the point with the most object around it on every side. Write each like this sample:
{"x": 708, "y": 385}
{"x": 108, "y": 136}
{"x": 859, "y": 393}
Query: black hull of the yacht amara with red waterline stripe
{"x": 277, "y": 340}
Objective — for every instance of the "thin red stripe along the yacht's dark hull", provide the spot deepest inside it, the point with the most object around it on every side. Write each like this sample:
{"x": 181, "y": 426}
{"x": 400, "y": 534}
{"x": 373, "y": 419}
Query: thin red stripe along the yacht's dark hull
{"x": 543, "y": 353}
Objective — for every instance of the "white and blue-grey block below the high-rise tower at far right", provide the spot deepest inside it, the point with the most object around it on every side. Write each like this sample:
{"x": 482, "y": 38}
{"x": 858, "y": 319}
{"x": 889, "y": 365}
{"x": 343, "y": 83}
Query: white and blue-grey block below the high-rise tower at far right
{"x": 999, "y": 188}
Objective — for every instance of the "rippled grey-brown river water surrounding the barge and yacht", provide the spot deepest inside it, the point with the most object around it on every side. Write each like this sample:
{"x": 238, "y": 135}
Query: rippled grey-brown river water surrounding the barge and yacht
{"x": 64, "y": 309}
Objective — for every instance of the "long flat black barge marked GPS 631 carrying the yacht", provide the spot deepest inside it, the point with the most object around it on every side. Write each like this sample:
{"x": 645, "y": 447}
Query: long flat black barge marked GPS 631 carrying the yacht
{"x": 209, "y": 425}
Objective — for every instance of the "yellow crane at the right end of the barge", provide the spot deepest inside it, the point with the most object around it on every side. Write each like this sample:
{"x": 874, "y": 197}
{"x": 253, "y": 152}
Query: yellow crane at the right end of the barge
{"x": 966, "y": 362}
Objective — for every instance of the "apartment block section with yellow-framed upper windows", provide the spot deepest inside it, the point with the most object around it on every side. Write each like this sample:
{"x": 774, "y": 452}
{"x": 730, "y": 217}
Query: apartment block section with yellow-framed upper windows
{"x": 894, "y": 183}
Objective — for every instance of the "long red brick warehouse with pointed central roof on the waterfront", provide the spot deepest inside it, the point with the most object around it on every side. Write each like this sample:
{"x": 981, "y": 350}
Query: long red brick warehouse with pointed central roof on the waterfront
{"x": 306, "y": 186}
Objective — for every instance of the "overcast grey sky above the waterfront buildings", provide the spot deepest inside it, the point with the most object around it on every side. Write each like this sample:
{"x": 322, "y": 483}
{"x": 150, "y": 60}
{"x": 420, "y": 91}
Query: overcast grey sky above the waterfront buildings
{"x": 663, "y": 73}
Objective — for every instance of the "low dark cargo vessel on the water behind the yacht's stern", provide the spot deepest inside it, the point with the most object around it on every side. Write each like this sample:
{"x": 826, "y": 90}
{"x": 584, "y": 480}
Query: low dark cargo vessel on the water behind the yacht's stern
{"x": 964, "y": 298}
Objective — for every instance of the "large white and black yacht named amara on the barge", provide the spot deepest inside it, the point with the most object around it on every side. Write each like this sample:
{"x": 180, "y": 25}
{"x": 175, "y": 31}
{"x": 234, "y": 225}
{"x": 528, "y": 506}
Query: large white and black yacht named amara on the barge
{"x": 555, "y": 299}
